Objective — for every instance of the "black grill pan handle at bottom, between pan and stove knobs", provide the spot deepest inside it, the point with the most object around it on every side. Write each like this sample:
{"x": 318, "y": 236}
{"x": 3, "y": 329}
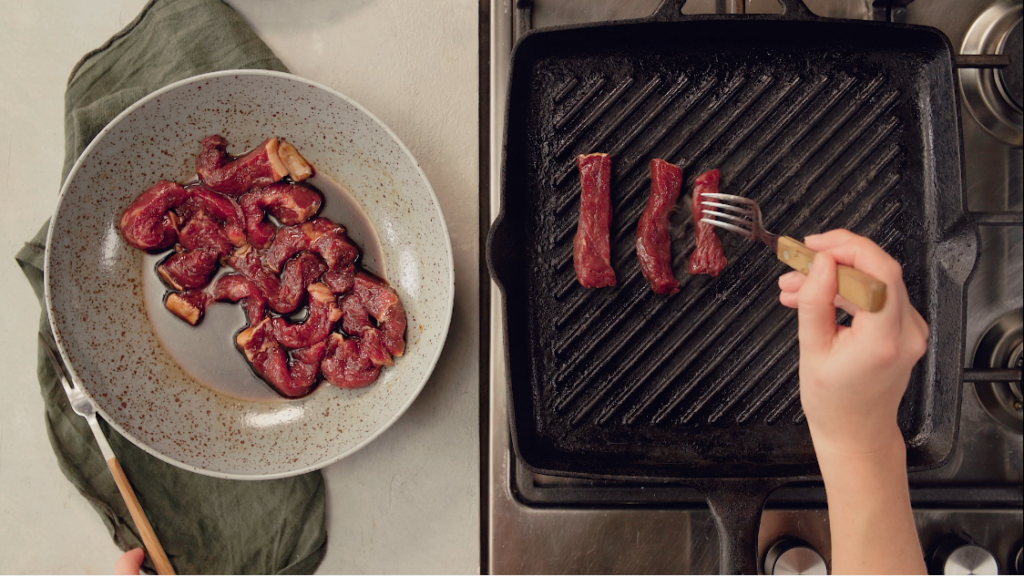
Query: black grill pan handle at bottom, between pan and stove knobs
{"x": 737, "y": 506}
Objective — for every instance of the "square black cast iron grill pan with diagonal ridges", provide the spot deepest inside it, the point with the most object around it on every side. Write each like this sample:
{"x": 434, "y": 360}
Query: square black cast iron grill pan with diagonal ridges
{"x": 827, "y": 124}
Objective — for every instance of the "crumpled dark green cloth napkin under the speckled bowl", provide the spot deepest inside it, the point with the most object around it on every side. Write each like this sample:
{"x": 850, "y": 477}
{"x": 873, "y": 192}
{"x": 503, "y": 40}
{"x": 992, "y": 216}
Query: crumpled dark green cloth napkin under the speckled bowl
{"x": 206, "y": 525}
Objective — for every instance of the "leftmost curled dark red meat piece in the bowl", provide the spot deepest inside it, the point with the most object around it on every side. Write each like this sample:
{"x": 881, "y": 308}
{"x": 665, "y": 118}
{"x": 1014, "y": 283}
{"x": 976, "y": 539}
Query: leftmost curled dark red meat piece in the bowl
{"x": 148, "y": 223}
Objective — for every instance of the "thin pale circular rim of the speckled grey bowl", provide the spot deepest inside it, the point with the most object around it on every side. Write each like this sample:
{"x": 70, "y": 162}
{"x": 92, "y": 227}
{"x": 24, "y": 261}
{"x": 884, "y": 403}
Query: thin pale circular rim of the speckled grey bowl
{"x": 73, "y": 376}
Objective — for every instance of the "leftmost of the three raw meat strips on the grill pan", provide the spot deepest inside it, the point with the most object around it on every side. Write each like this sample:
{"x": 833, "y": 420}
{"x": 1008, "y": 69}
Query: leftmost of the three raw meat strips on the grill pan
{"x": 592, "y": 246}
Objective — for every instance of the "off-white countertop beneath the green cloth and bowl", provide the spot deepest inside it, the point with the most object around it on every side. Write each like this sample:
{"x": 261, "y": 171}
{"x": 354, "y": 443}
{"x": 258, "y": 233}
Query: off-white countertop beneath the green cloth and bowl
{"x": 408, "y": 503}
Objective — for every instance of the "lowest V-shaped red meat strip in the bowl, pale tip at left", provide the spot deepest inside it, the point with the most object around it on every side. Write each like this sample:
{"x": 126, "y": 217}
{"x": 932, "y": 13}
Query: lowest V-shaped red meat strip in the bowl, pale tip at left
{"x": 293, "y": 378}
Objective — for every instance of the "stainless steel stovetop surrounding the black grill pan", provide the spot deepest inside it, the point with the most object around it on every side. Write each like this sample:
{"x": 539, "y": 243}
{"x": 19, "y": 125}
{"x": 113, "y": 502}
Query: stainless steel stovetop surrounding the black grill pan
{"x": 556, "y": 525}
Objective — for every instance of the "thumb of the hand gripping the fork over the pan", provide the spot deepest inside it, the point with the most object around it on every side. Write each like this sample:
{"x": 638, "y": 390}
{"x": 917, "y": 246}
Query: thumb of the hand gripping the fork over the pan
{"x": 817, "y": 308}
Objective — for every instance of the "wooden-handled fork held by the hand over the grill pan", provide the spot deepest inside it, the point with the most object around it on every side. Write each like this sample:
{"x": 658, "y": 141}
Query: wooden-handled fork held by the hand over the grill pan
{"x": 743, "y": 216}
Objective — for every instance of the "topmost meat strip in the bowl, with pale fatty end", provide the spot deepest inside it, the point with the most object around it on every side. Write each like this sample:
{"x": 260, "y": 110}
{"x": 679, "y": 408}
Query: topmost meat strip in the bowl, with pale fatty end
{"x": 261, "y": 168}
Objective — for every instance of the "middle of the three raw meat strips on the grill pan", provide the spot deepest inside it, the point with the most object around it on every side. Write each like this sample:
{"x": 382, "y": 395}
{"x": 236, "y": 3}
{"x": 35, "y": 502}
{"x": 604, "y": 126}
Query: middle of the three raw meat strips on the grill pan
{"x": 655, "y": 231}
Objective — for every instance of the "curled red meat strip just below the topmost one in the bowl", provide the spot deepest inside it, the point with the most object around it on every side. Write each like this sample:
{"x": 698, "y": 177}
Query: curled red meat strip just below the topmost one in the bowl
{"x": 291, "y": 204}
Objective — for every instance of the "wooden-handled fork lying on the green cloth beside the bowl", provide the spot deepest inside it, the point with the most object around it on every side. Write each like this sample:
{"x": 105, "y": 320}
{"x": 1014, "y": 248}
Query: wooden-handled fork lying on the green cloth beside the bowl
{"x": 82, "y": 406}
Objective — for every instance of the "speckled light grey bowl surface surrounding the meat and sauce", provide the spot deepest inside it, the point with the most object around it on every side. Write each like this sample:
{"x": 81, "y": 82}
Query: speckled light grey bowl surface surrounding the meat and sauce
{"x": 95, "y": 280}
